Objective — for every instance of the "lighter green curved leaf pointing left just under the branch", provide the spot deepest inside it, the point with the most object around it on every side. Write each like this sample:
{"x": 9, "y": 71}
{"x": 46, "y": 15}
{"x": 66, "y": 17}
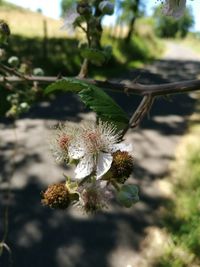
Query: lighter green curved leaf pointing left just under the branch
{"x": 67, "y": 85}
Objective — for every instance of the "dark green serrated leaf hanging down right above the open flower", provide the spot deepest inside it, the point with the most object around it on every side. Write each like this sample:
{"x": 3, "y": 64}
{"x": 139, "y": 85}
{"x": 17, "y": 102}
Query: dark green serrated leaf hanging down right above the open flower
{"x": 105, "y": 107}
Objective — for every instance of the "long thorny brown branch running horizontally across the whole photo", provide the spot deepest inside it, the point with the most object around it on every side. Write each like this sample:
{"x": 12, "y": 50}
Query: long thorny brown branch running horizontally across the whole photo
{"x": 126, "y": 86}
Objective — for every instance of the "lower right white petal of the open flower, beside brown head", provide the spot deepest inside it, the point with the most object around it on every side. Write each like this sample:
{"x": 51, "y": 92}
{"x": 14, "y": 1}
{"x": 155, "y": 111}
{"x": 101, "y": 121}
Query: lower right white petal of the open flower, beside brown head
{"x": 104, "y": 162}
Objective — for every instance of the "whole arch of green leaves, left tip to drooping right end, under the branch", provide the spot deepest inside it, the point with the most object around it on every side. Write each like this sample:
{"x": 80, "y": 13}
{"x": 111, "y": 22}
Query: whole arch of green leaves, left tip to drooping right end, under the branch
{"x": 95, "y": 98}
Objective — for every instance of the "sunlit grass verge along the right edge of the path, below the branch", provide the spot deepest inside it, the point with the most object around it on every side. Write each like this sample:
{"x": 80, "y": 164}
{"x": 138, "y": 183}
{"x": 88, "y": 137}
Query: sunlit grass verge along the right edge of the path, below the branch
{"x": 182, "y": 215}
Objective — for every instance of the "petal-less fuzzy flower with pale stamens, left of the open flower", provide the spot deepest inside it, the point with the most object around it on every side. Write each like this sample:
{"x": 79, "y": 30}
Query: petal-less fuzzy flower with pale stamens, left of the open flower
{"x": 62, "y": 141}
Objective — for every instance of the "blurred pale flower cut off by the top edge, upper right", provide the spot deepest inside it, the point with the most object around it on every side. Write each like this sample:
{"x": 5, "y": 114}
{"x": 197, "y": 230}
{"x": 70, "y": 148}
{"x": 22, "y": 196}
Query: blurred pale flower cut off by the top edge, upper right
{"x": 174, "y": 8}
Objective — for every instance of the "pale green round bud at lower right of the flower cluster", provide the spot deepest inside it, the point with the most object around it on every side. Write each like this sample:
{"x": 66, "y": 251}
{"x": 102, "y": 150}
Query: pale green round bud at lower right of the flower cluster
{"x": 128, "y": 195}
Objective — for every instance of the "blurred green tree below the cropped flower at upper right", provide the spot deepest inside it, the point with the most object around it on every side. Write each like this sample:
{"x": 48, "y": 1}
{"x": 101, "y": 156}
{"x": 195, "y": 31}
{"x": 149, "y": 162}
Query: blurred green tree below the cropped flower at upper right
{"x": 166, "y": 26}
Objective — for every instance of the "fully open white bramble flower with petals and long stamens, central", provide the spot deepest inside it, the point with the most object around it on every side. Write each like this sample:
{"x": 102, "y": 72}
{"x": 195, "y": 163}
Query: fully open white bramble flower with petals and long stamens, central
{"x": 95, "y": 148}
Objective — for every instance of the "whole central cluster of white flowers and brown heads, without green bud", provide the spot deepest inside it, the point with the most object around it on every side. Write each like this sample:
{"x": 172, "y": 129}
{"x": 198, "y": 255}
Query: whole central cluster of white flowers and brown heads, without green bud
{"x": 100, "y": 159}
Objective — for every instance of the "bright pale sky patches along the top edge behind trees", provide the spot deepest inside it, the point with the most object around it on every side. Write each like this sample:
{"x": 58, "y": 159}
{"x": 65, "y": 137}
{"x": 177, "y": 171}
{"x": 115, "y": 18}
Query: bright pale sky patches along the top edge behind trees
{"x": 51, "y": 8}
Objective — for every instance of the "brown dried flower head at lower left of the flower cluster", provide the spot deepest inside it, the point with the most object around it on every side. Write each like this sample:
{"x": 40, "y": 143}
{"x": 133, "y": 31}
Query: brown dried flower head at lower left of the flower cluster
{"x": 56, "y": 196}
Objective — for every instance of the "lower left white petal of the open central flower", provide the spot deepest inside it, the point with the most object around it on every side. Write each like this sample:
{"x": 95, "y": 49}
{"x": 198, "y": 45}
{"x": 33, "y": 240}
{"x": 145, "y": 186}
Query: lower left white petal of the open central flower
{"x": 84, "y": 167}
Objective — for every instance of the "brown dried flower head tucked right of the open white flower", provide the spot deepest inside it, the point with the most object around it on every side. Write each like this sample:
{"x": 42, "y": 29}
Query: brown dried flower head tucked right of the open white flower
{"x": 122, "y": 166}
